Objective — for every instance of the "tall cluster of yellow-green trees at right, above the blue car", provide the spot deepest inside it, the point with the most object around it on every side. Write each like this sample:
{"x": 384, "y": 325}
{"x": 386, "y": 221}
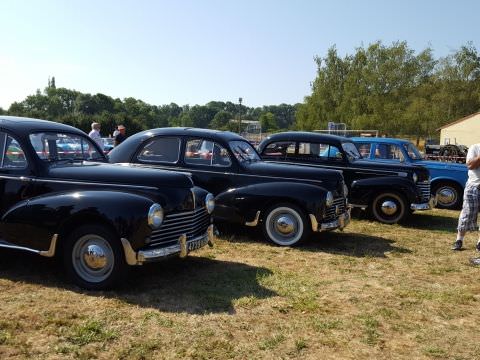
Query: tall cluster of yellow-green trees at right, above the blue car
{"x": 392, "y": 89}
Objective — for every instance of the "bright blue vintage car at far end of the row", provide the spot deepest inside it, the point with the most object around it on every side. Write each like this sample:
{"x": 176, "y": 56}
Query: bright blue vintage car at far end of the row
{"x": 447, "y": 179}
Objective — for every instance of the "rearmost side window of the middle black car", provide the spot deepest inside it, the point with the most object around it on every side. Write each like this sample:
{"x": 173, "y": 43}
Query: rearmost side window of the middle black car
{"x": 161, "y": 149}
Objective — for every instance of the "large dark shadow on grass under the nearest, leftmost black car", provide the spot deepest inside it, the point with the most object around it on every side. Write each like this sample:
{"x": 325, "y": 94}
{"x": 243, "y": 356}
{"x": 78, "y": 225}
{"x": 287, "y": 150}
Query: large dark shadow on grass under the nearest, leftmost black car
{"x": 193, "y": 285}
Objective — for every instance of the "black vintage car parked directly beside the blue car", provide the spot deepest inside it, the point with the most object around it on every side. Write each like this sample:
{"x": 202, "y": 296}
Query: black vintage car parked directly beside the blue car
{"x": 389, "y": 192}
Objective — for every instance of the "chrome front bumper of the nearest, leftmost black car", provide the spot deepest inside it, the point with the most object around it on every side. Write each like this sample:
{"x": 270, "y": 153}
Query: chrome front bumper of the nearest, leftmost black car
{"x": 183, "y": 247}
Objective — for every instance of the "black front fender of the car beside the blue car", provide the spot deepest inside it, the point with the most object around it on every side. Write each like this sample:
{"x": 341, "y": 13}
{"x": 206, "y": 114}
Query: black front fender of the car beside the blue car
{"x": 362, "y": 190}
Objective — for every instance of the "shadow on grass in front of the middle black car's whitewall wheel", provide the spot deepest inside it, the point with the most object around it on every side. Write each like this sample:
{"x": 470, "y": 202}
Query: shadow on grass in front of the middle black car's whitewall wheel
{"x": 350, "y": 244}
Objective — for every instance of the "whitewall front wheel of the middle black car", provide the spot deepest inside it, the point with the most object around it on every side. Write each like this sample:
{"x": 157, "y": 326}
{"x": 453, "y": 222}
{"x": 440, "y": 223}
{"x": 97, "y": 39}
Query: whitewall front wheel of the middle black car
{"x": 285, "y": 225}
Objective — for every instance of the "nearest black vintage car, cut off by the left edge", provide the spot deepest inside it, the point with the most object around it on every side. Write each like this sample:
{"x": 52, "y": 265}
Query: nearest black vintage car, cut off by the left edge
{"x": 57, "y": 197}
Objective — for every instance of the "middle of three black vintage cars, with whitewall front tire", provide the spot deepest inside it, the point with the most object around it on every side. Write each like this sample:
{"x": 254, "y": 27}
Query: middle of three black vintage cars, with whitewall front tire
{"x": 288, "y": 201}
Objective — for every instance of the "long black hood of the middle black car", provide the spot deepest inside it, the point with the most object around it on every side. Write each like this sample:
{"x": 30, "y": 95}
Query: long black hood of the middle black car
{"x": 289, "y": 171}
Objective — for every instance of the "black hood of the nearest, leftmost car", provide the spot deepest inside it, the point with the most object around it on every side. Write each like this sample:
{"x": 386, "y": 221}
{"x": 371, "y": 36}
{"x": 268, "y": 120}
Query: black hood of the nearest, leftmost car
{"x": 120, "y": 174}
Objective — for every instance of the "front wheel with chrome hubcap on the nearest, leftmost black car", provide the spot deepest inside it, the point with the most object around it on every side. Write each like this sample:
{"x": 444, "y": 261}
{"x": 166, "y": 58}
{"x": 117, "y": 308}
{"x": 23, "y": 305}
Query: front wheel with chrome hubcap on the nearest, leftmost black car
{"x": 88, "y": 271}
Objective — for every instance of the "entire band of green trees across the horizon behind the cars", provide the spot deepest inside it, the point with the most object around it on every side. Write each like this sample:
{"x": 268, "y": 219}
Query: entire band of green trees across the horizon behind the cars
{"x": 390, "y": 88}
